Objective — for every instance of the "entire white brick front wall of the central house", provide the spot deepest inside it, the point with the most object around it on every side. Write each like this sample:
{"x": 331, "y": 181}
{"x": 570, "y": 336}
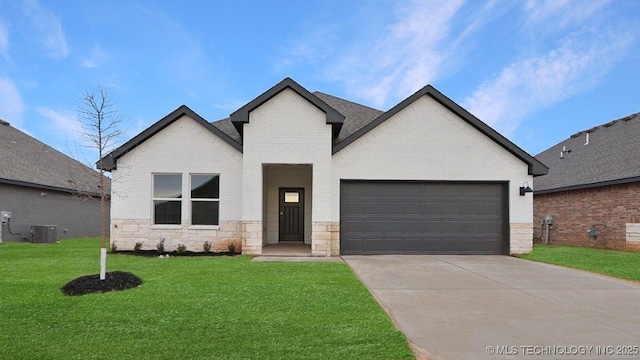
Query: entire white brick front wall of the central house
{"x": 424, "y": 141}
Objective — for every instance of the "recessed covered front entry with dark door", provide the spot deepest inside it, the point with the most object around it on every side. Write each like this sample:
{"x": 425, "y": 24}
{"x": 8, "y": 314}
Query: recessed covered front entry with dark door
{"x": 287, "y": 203}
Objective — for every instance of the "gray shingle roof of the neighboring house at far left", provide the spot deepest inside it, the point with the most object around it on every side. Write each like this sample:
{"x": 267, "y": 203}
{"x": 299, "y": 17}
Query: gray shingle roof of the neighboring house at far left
{"x": 26, "y": 161}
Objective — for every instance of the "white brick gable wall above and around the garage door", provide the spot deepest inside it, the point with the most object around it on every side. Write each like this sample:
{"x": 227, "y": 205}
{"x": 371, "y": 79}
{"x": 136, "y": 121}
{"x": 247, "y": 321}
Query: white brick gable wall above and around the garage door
{"x": 425, "y": 141}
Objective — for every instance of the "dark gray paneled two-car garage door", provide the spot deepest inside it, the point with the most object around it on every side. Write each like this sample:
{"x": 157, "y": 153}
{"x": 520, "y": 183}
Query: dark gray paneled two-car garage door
{"x": 410, "y": 217}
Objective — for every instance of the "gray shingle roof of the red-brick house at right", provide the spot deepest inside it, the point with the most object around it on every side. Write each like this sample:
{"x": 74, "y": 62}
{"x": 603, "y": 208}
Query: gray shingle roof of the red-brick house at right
{"x": 612, "y": 155}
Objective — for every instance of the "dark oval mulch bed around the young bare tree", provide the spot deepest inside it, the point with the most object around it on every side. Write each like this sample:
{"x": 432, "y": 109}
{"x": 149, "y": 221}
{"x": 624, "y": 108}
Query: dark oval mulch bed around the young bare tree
{"x": 114, "y": 281}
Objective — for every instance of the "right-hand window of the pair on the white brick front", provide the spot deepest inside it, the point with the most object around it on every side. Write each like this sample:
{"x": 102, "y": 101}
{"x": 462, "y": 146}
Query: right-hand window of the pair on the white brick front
{"x": 205, "y": 199}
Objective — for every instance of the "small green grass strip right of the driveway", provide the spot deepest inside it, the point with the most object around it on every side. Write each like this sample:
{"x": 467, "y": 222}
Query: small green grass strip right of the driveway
{"x": 620, "y": 264}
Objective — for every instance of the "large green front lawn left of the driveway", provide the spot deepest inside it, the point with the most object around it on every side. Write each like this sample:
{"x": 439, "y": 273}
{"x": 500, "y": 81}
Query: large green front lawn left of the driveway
{"x": 187, "y": 308}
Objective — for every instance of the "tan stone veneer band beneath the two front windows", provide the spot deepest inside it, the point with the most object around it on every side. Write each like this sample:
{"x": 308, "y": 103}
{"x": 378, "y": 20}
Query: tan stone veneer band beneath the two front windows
{"x": 127, "y": 232}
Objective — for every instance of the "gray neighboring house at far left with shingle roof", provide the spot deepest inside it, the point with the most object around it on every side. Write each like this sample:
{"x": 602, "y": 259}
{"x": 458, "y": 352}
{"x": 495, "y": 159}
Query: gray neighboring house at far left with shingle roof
{"x": 41, "y": 186}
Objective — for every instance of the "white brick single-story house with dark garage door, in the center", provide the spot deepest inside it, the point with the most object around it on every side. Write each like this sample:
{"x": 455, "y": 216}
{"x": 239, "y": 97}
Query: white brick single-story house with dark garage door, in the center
{"x": 294, "y": 166}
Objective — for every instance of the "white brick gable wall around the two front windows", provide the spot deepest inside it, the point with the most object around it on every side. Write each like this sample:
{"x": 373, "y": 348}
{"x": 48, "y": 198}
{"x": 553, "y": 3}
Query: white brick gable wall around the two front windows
{"x": 183, "y": 147}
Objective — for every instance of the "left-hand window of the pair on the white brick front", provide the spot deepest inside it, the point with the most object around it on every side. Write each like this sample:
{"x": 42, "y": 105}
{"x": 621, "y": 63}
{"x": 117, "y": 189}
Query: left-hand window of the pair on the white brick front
{"x": 167, "y": 199}
